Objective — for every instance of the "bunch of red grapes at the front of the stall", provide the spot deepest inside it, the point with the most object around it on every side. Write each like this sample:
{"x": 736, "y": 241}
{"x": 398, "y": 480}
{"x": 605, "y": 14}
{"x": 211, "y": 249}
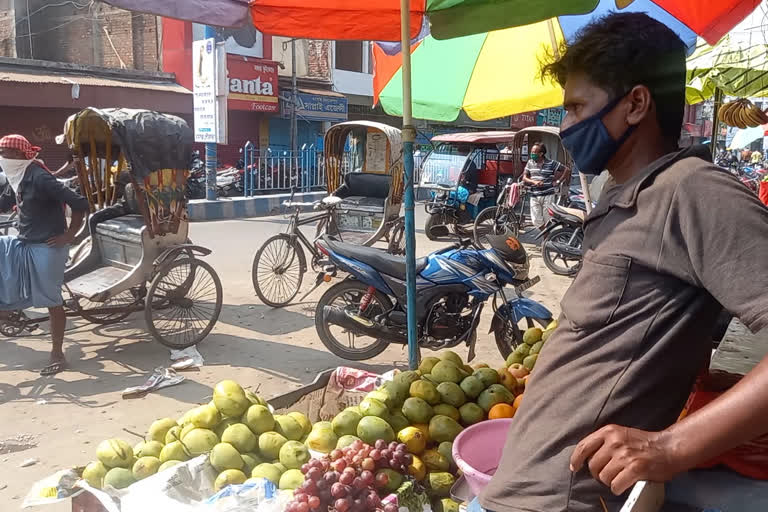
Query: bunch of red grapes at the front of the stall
{"x": 349, "y": 480}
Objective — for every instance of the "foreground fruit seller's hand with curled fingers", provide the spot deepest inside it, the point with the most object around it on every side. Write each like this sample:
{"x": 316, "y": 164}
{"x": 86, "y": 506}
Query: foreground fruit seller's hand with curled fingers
{"x": 619, "y": 457}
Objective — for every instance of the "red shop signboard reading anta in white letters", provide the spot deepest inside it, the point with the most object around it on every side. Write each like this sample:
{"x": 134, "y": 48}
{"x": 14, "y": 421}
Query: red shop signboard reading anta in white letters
{"x": 252, "y": 84}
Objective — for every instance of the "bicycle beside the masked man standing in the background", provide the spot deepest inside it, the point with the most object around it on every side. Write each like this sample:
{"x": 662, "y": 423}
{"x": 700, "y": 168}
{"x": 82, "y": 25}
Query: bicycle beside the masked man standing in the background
{"x": 505, "y": 217}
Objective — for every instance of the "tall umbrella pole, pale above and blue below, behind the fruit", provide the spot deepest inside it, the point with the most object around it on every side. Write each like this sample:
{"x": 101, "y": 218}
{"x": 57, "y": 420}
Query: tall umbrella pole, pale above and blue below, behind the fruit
{"x": 409, "y": 137}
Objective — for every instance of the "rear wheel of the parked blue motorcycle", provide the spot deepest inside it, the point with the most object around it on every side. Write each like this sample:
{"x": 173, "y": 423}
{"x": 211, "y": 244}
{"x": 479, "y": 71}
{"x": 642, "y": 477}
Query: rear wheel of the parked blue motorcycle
{"x": 341, "y": 341}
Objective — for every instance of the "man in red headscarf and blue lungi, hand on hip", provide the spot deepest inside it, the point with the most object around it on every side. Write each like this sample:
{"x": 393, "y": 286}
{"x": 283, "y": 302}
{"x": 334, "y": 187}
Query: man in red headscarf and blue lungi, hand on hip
{"x": 32, "y": 263}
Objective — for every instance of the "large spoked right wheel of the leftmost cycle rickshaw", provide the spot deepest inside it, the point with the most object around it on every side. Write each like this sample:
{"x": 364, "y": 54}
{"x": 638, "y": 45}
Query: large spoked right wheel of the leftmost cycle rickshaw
{"x": 183, "y": 303}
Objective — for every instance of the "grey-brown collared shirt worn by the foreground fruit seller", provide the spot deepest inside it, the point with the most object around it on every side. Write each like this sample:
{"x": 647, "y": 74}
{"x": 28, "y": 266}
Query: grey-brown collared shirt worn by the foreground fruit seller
{"x": 661, "y": 253}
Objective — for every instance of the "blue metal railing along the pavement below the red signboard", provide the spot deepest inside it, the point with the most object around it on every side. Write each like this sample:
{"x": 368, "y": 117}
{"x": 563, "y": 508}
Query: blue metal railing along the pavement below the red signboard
{"x": 275, "y": 171}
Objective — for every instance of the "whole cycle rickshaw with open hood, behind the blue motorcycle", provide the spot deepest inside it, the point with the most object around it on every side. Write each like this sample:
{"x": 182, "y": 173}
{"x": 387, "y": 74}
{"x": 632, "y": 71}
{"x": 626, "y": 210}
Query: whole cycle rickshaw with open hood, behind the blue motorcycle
{"x": 364, "y": 171}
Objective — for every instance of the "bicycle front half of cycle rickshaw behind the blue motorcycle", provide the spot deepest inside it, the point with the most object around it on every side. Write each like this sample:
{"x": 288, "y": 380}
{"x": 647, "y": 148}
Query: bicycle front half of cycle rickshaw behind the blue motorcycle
{"x": 280, "y": 263}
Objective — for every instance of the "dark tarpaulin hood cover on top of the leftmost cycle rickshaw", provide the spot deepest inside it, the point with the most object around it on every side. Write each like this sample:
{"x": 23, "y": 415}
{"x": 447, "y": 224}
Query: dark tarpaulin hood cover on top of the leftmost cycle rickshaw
{"x": 150, "y": 141}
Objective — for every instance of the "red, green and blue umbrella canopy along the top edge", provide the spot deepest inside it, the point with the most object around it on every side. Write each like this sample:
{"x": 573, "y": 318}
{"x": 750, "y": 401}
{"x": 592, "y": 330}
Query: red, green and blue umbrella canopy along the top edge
{"x": 380, "y": 19}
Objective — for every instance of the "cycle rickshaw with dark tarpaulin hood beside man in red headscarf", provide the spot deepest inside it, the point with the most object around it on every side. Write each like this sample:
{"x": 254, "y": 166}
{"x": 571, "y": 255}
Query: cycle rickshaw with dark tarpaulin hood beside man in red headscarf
{"x": 137, "y": 256}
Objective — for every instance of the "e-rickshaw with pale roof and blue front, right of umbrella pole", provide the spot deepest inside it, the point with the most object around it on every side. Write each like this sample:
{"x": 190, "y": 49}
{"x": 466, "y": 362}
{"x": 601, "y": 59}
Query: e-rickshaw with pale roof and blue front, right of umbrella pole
{"x": 465, "y": 172}
